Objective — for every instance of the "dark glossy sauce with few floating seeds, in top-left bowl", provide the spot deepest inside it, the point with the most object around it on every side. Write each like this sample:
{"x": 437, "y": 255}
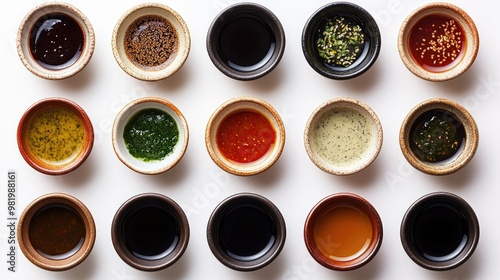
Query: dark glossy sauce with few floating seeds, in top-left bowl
{"x": 56, "y": 41}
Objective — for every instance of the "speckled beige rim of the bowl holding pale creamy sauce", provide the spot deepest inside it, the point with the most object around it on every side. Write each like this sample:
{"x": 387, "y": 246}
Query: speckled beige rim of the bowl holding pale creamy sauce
{"x": 344, "y": 102}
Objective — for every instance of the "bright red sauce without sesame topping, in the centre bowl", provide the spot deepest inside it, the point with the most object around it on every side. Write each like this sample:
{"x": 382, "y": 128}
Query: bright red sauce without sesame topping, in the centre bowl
{"x": 245, "y": 136}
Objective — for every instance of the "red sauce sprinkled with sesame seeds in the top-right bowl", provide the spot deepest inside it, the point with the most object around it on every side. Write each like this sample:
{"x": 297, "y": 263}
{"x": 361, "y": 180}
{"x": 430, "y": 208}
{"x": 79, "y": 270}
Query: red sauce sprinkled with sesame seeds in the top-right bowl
{"x": 437, "y": 42}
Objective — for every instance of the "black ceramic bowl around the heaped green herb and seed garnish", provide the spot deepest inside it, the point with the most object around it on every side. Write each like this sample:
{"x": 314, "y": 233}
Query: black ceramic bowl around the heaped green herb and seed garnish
{"x": 346, "y": 67}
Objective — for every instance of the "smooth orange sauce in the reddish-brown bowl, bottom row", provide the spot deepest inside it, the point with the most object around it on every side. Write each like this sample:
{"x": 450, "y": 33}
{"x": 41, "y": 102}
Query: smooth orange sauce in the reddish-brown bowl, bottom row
{"x": 343, "y": 232}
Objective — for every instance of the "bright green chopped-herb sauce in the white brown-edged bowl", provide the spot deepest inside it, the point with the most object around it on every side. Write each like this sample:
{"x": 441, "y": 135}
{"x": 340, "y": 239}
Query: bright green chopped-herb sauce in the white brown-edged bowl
{"x": 151, "y": 134}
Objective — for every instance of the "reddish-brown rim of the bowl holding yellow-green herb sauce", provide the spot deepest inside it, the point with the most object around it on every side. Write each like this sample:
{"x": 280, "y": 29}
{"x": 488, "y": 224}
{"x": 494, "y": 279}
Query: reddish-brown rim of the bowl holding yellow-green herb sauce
{"x": 36, "y": 108}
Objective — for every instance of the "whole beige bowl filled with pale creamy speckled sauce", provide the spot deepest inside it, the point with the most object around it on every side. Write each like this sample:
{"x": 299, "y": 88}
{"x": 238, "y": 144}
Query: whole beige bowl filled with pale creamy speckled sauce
{"x": 343, "y": 136}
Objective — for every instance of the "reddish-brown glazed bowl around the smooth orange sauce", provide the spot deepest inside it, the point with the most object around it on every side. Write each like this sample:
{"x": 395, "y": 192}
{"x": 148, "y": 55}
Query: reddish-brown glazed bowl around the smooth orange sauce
{"x": 366, "y": 253}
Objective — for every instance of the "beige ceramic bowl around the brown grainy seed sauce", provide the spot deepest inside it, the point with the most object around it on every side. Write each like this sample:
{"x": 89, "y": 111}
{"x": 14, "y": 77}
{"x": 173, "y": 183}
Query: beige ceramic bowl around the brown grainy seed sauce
{"x": 176, "y": 59}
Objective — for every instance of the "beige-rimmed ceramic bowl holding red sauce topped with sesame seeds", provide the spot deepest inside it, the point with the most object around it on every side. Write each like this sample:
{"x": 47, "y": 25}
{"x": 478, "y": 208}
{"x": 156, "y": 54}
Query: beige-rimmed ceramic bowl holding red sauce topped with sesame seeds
{"x": 465, "y": 55}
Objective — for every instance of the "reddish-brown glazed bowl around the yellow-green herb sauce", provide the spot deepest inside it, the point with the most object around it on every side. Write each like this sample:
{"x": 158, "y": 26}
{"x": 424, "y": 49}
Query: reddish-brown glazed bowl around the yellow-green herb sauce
{"x": 47, "y": 166}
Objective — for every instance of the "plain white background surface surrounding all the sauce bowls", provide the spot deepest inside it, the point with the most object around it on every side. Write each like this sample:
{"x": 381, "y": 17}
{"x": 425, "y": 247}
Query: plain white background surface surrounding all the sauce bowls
{"x": 294, "y": 183}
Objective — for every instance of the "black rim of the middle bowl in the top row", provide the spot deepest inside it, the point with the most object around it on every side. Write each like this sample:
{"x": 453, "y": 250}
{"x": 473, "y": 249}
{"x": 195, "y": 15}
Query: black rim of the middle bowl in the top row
{"x": 264, "y": 14}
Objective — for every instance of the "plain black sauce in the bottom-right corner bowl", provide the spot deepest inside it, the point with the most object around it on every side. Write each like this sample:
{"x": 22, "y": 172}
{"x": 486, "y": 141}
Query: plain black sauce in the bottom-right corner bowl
{"x": 439, "y": 232}
